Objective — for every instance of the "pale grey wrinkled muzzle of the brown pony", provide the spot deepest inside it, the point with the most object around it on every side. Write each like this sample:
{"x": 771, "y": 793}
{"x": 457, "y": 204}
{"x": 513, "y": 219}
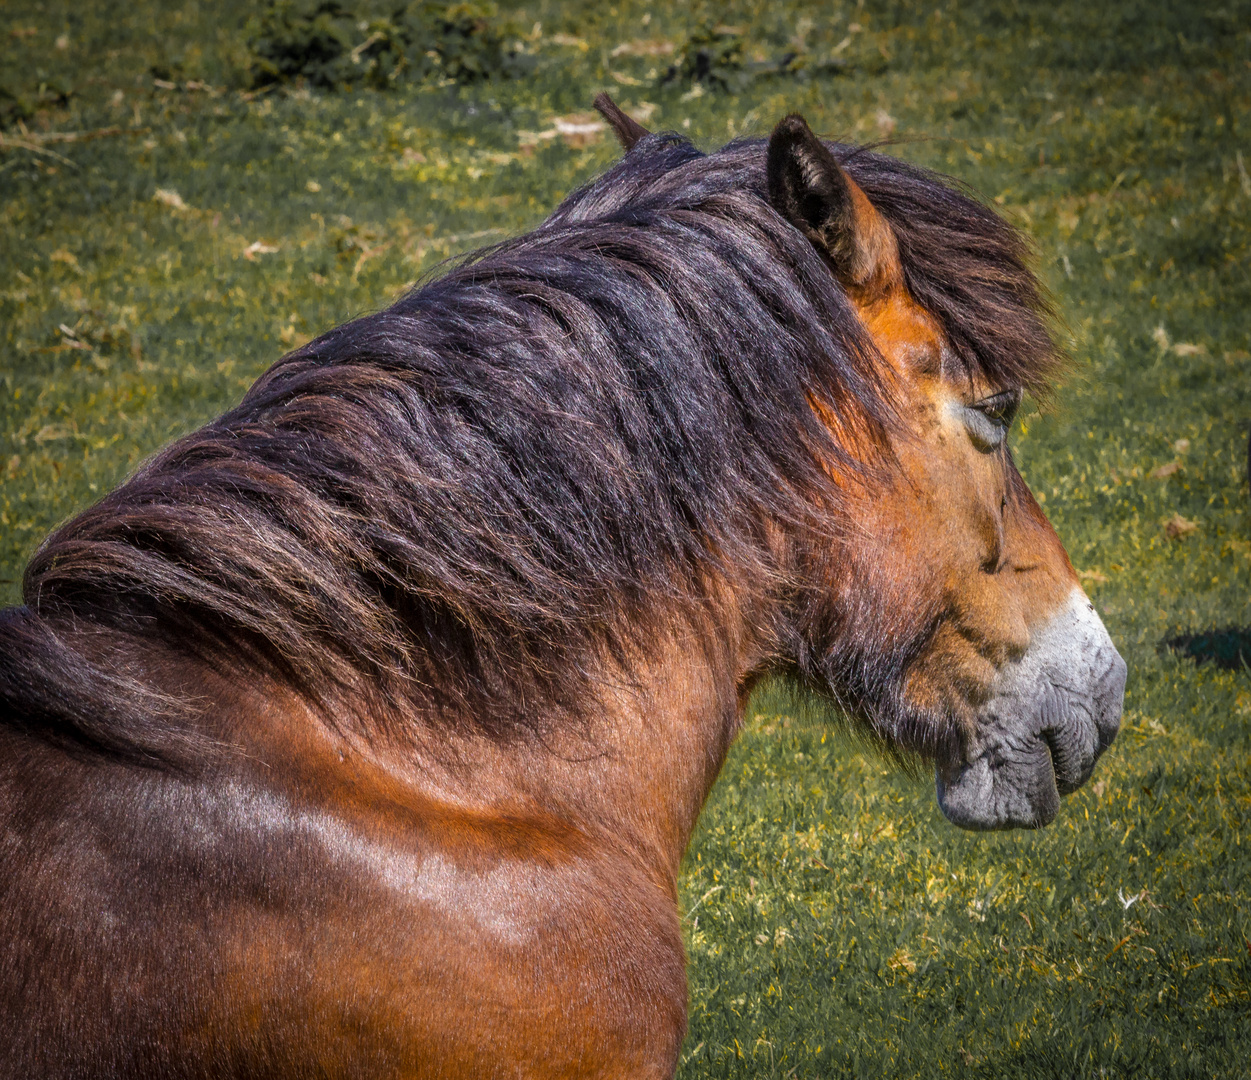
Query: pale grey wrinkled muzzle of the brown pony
{"x": 1049, "y": 719}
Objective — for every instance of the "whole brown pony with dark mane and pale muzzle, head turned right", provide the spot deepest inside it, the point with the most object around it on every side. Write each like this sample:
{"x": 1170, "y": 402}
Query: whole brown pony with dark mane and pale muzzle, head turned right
{"x": 361, "y": 733}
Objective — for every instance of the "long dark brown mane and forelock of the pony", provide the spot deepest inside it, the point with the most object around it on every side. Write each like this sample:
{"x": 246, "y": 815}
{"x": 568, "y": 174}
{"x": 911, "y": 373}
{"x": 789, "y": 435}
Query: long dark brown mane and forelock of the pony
{"x": 463, "y": 506}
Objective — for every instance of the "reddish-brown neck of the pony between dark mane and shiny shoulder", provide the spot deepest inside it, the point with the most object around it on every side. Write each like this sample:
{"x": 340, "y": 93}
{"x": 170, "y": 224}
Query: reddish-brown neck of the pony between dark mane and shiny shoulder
{"x": 632, "y": 779}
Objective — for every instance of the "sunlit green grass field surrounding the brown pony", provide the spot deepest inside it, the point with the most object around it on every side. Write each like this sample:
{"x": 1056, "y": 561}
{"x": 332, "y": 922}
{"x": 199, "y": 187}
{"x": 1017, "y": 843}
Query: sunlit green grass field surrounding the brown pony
{"x": 838, "y": 925}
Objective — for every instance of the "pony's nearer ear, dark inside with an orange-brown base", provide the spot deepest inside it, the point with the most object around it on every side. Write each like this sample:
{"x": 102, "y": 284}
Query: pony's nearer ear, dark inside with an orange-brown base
{"x": 810, "y": 190}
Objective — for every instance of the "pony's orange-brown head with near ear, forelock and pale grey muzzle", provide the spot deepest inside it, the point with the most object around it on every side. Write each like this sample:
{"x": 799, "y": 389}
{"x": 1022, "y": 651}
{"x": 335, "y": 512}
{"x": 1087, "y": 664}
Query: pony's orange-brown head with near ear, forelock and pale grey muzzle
{"x": 958, "y": 624}
